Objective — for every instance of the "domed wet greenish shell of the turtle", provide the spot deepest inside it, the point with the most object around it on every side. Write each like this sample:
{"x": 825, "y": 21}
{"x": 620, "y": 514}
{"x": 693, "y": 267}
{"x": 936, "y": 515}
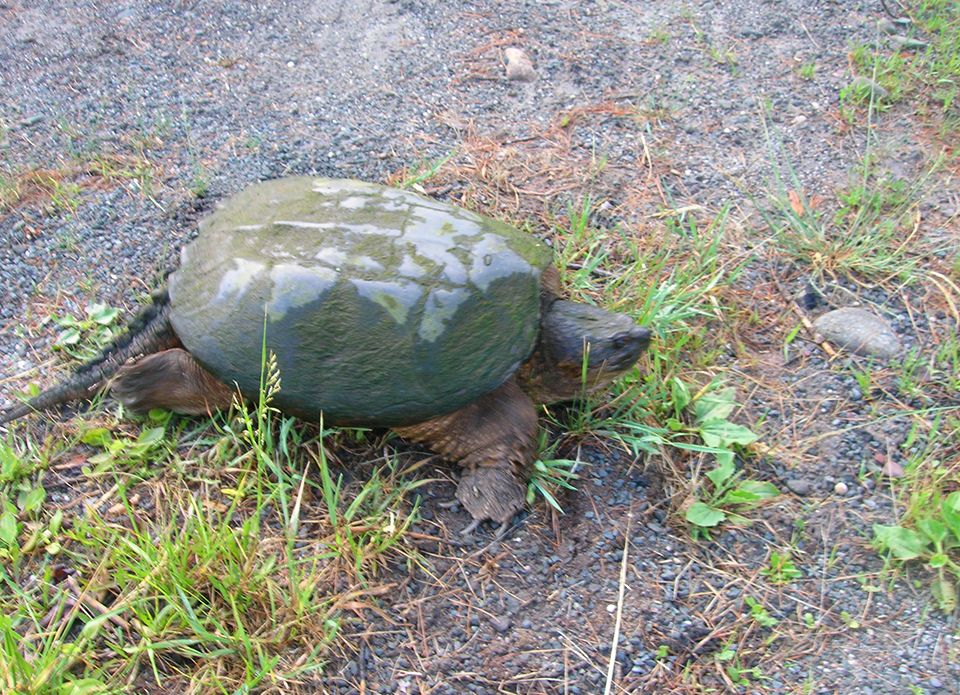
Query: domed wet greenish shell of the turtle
{"x": 382, "y": 307}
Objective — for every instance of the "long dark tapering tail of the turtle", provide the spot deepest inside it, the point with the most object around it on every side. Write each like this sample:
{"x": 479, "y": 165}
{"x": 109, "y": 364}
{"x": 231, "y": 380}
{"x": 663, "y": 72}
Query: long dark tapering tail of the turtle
{"x": 149, "y": 332}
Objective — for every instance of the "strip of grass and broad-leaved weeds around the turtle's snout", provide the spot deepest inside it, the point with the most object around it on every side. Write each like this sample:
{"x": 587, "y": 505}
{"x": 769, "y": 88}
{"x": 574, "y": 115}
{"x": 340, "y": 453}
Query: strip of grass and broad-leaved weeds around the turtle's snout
{"x": 652, "y": 407}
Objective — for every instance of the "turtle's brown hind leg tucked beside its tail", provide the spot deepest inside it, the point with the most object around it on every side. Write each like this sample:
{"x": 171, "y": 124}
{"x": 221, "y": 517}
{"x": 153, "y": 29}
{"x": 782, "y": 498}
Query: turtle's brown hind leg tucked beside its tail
{"x": 172, "y": 380}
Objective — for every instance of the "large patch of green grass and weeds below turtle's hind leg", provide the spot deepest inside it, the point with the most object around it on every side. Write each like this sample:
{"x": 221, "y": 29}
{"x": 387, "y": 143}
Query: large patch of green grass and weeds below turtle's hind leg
{"x": 208, "y": 588}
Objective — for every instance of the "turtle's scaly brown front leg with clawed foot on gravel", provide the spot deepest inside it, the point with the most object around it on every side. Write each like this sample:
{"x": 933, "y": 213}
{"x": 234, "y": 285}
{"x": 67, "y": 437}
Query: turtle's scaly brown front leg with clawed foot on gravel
{"x": 494, "y": 439}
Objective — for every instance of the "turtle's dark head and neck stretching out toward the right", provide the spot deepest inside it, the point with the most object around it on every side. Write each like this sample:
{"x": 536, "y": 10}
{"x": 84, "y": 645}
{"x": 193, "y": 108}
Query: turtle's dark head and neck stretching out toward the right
{"x": 581, "y": 347}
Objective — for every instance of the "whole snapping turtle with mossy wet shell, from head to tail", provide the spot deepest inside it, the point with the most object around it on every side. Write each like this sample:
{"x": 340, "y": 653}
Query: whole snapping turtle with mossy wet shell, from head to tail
{"x": 383, "y": 308}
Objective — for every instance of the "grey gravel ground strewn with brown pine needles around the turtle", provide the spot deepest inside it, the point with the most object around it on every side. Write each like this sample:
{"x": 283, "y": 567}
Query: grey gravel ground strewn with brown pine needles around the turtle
{"x": 208, "y": 97}
